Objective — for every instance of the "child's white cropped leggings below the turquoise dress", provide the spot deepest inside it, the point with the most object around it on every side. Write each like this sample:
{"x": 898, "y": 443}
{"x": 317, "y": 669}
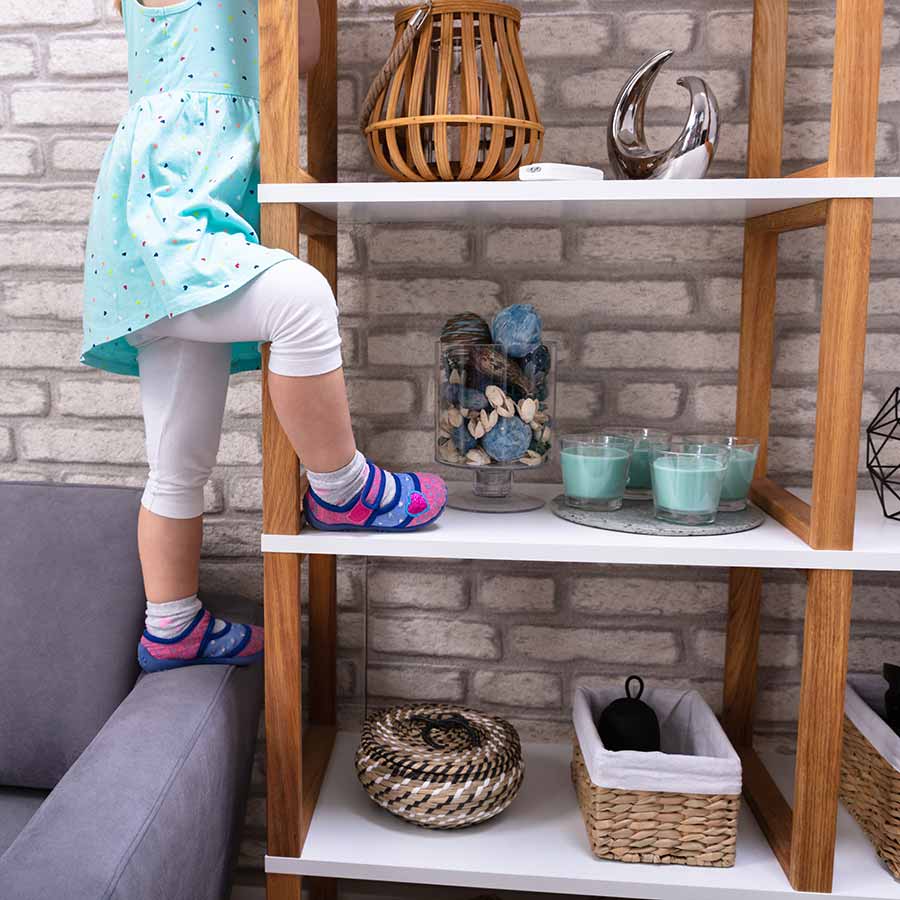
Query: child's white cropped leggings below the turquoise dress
{"x": 184, "y": 366}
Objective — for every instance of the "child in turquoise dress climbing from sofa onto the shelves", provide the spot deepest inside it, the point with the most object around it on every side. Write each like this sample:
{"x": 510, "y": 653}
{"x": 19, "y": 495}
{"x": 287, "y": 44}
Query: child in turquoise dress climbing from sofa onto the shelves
{"x": 179, "y": 291}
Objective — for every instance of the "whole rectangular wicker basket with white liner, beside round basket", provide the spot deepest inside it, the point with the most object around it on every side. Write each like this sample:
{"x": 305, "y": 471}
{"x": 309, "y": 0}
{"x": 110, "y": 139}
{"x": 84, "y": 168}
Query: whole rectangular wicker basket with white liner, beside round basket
{"x": 630, "y": 810}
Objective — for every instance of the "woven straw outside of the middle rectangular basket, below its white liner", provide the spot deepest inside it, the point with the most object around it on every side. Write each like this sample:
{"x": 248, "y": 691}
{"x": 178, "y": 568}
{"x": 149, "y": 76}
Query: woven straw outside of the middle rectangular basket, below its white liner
{"x": 654, "y": 826}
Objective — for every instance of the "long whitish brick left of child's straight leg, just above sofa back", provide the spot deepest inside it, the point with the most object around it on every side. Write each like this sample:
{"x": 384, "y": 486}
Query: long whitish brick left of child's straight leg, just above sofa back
{"x": 59, "y": 443}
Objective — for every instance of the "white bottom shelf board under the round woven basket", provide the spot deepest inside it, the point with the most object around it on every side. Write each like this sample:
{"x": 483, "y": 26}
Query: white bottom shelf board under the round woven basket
{"x": 539, "y": 844}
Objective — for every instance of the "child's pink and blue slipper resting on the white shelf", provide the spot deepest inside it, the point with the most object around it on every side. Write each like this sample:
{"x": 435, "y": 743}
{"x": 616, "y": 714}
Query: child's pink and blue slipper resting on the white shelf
{"x": 418, "y": 500}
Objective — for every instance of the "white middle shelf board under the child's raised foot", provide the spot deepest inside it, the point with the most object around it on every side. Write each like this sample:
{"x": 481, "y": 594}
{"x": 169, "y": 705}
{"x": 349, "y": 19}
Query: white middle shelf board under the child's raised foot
{"x": 543, "y": 537}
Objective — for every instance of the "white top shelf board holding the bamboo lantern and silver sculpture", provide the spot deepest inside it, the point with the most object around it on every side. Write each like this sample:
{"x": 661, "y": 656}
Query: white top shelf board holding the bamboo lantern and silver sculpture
{"x": 472, "y": 202}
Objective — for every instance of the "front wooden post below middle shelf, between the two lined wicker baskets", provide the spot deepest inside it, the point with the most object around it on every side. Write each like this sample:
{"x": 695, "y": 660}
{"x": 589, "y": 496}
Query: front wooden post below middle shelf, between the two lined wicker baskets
{"x": 826, "y": 636}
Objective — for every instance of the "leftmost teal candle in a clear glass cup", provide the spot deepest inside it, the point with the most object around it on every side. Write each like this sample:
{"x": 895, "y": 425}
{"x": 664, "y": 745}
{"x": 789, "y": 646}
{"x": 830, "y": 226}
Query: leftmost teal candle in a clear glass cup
{"x": 595, "y": 469}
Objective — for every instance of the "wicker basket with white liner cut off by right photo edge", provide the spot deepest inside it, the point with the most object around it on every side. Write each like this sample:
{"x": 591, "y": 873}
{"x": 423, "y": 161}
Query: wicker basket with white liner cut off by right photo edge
{"x": 870, "y": 767}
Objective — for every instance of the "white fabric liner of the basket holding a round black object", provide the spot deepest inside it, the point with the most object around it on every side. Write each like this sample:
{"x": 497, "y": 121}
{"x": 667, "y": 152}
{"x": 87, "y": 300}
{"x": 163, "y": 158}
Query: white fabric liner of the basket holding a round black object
{"x": 696, "y": 757}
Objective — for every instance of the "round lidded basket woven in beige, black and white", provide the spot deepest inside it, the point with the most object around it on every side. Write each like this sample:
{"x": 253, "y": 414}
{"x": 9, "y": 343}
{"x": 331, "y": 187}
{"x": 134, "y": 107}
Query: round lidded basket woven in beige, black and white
{"x": 440, "y": 766}
